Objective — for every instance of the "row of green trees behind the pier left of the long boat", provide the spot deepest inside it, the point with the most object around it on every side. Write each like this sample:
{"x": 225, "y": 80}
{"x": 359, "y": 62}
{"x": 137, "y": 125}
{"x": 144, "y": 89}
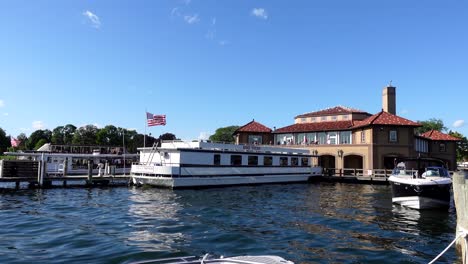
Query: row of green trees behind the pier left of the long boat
{"x": 88, "y": 135}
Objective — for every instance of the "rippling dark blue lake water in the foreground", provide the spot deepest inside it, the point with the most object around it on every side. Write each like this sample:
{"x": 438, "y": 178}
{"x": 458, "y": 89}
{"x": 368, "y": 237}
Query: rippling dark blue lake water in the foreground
{"x": 304, "y": 223}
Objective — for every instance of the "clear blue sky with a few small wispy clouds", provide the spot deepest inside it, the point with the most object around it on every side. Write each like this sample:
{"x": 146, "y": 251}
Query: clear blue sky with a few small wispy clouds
{"x": 208, "y": 64}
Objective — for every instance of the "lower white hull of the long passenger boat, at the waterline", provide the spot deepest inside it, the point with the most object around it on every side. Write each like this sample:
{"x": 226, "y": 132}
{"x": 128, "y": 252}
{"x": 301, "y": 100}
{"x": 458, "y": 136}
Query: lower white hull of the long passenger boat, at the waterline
{"x": 188, "y": 182}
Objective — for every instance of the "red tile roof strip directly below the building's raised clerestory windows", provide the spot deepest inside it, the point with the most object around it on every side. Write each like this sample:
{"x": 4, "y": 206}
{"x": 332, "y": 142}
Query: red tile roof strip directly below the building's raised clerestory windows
{"x": 316, "y": 127}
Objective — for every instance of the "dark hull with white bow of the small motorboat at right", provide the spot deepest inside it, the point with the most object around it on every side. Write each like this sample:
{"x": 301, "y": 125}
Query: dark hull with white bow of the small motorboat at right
{"x": 421, "y": 196}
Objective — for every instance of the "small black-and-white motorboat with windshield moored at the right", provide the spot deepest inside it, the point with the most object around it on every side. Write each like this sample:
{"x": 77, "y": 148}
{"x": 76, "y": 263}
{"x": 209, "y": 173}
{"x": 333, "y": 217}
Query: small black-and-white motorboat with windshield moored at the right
{"x": 421, "y": 183}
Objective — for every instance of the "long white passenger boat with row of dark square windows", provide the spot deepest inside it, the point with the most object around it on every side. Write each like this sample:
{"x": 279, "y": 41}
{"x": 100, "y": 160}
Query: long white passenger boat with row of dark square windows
{"x": 179, "y": 164}
